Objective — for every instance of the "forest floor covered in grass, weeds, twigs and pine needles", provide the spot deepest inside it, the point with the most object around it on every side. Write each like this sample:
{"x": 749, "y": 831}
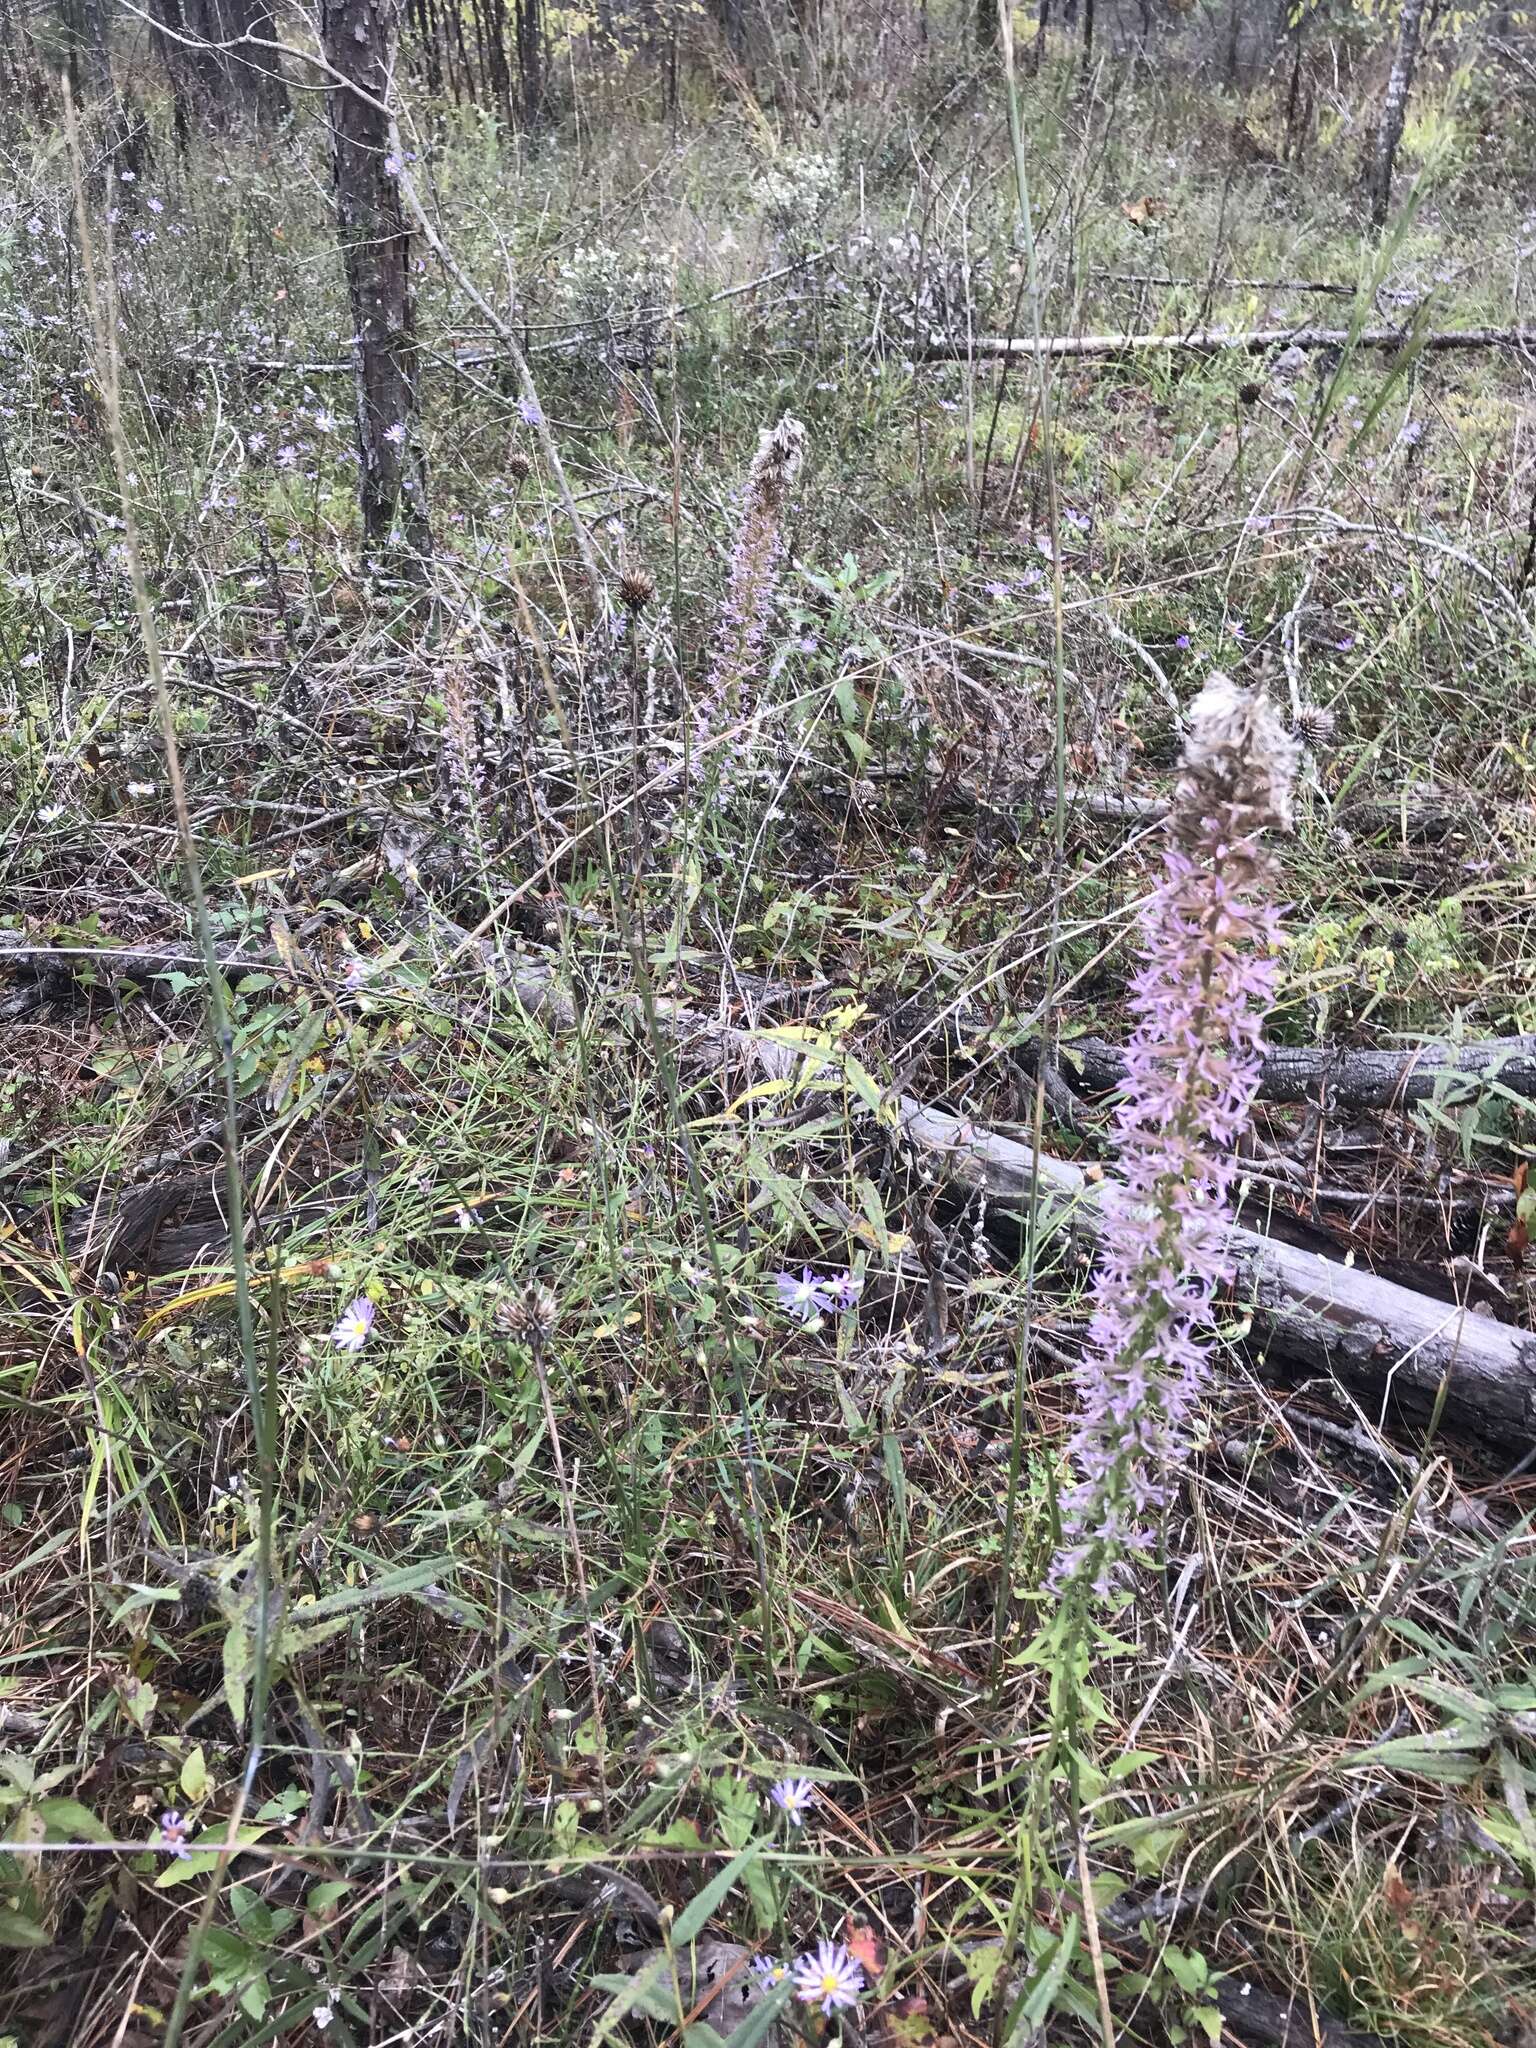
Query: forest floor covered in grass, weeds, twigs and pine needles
{"x": 599, "y": 1533}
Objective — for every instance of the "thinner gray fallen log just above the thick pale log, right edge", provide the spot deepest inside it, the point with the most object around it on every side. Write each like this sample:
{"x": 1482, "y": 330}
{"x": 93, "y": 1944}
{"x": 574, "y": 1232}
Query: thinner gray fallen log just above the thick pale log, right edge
{"x": 1347, "y": 1076}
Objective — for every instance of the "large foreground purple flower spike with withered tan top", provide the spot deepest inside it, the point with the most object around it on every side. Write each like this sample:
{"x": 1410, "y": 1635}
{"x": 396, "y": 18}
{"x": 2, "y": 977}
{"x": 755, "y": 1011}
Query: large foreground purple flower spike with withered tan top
{"x": 1199, "y": 998}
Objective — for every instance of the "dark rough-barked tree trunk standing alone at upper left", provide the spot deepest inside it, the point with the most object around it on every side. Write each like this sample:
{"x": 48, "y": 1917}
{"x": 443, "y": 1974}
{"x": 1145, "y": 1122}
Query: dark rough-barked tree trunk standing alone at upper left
{"x": 359, "y": 40}
